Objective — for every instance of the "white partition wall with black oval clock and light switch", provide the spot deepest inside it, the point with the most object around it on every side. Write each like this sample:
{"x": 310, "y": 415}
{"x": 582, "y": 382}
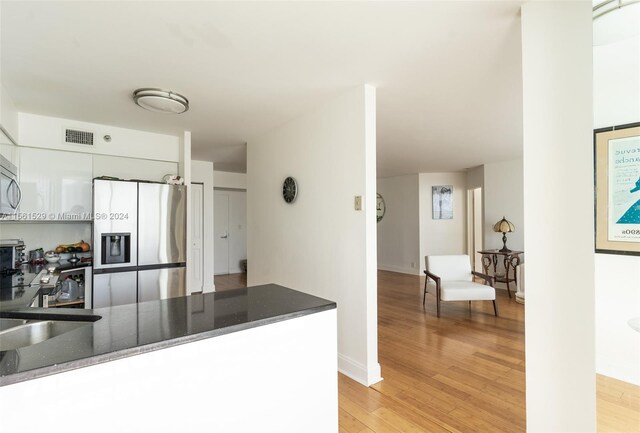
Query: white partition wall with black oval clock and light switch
{"x": 319, "y": 244}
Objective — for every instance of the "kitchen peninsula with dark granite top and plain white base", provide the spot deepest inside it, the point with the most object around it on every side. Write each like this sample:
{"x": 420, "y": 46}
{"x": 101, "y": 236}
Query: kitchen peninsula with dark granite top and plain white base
{"x": 191, "y": 363}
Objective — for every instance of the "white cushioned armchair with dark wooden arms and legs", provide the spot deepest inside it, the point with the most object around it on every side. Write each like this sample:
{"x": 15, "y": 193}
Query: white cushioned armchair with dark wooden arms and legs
{"x": 453, "y": 279}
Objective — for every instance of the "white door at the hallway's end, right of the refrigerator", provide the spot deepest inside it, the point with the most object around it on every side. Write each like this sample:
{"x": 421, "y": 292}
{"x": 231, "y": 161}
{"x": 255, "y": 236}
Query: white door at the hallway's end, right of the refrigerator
{"x": 229, "y": 227}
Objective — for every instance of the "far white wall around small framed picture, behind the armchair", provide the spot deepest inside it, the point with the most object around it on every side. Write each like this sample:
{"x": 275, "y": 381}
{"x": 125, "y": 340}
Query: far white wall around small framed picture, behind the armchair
{"x": 442, "y": 236}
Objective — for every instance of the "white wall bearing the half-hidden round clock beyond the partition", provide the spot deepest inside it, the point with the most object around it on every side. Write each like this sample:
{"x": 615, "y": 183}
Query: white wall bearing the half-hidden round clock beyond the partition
{"x": 398, "y": 231}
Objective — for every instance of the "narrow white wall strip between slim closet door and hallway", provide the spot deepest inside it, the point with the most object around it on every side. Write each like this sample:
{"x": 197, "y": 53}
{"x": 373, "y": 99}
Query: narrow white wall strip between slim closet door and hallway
{"x": 202, "y": 172}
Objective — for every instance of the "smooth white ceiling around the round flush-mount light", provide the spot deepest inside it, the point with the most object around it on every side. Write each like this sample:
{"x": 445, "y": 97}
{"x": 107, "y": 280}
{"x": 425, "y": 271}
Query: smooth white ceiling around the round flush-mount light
{"x": 448, "y": 74}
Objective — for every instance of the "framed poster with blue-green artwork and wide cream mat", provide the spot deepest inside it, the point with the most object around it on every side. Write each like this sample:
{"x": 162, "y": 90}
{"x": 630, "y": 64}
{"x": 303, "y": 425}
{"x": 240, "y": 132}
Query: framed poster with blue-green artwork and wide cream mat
{"x": 617, "y": 189}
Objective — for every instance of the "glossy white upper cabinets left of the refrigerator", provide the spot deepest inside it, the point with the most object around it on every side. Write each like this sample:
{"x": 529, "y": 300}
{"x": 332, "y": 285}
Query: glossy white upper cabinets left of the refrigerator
{"x": 56, "y": 186}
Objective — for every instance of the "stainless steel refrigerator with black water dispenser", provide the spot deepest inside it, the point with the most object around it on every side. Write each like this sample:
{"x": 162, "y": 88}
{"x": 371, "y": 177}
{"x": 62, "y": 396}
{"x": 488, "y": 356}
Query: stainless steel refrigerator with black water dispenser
{"x": 139, "y": 240}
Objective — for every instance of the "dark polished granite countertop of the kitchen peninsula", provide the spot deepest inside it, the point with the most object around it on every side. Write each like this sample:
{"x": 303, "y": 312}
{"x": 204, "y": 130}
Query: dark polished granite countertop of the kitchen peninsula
{"x": 132, "y": 329}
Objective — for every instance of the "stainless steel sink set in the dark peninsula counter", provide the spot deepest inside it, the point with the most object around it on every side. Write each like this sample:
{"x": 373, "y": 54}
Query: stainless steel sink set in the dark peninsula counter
{"x": 16, "y": 333}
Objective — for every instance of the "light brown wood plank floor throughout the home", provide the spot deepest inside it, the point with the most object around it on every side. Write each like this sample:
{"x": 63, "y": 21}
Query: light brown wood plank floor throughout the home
{"x": 463, "y": 372}
